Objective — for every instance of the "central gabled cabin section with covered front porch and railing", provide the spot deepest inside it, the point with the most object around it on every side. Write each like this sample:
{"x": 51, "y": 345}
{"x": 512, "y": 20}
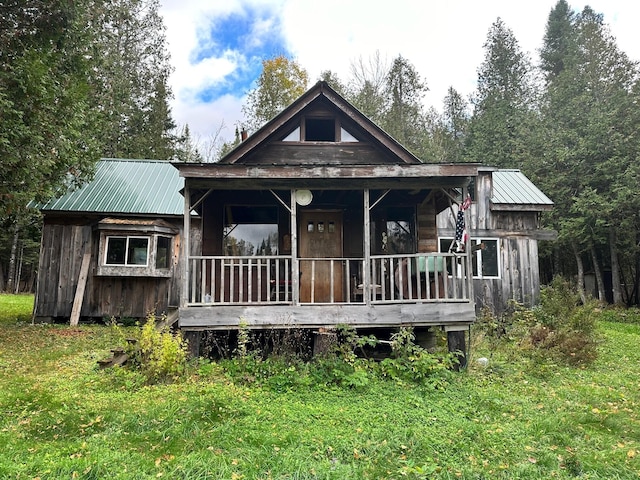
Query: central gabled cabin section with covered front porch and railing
{"x": 320, "y": 218}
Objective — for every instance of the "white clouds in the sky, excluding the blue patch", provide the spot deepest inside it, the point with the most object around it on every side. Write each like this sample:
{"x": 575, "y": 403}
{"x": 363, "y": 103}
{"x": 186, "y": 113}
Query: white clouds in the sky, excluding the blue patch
{"x": 443, "y": 40}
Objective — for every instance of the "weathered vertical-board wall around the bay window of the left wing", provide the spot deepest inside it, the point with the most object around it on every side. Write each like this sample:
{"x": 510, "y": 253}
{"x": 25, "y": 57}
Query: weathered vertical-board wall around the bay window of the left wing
{"x": 63, "y": 245}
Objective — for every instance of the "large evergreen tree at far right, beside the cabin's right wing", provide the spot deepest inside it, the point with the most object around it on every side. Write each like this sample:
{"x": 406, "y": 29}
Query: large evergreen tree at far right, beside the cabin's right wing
{"x": 592, "y": 120}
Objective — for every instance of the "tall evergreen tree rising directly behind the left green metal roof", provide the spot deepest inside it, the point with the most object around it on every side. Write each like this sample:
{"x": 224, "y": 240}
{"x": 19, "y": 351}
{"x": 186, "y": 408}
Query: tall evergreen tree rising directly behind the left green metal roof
{"x": 131, "y": 78}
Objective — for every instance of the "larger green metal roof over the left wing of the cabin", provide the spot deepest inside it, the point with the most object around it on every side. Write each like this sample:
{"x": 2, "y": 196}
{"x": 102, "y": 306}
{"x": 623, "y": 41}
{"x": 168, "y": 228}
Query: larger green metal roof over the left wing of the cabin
{"x": 121, "y": 186}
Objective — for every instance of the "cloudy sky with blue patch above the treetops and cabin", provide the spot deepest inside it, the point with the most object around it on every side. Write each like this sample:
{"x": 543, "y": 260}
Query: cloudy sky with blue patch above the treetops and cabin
{"x": 217, "y": 46}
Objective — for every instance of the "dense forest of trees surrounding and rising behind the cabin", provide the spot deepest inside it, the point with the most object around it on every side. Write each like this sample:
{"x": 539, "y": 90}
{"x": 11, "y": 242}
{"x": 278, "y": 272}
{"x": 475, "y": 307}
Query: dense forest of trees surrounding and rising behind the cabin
{"x": 570, "y": 122}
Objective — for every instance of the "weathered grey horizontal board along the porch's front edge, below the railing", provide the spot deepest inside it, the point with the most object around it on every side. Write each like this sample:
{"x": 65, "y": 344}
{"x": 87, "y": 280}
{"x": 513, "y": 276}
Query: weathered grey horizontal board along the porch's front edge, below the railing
{"x": 451, "y": 315}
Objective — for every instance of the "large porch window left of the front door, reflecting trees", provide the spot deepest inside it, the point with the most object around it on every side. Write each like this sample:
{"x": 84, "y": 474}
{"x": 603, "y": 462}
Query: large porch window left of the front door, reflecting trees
{"x": 250, "y": 231}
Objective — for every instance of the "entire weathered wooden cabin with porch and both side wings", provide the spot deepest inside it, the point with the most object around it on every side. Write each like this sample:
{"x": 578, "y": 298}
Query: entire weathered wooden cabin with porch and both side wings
{"x": 318, "y": 219}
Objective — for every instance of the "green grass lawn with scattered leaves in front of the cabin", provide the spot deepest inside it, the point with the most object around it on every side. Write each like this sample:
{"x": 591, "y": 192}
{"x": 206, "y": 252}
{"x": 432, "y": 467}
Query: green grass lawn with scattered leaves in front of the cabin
{"x": 62, "y": 417}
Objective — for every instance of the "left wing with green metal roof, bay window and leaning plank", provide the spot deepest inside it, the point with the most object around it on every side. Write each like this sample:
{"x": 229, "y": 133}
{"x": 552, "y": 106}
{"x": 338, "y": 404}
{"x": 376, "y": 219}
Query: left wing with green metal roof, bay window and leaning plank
{"x": 112, "y": 248}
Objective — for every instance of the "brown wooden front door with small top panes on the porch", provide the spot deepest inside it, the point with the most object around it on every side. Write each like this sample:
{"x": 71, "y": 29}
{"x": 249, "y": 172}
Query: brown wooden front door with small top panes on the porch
{"x": 321, "y": 238}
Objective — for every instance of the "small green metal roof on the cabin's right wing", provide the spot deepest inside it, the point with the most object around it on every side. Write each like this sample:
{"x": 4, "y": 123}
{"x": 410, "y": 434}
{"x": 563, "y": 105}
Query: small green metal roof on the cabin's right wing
{"x": 512, "y": 187}
